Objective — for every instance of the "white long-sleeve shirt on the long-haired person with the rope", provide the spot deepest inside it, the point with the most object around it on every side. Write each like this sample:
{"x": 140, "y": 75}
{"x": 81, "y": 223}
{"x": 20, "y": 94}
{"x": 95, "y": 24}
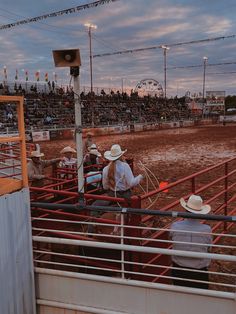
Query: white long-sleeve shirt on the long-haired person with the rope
{"x": 124, "y": 177}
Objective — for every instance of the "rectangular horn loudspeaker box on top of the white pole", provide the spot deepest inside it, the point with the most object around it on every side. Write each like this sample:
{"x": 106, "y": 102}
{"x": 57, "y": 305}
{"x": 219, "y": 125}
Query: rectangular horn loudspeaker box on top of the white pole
{"x": 66, "y": 58}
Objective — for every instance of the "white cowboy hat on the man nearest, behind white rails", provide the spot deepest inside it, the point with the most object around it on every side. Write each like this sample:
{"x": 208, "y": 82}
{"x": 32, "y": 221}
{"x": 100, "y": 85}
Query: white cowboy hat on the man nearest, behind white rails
{"x": 195, "y": 205}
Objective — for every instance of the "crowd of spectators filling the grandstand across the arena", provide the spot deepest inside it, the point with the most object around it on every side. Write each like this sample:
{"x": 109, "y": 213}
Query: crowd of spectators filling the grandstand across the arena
{"x": 53, "y": 106}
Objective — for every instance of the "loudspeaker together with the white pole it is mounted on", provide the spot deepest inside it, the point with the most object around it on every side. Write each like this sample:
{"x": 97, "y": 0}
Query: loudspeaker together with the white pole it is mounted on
{"x": 71, "y": 58}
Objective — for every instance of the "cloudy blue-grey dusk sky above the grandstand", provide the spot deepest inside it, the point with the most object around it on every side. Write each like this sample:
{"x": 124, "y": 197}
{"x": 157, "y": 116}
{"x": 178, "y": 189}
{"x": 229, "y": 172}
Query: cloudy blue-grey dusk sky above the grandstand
{"x": 125, "y": 25}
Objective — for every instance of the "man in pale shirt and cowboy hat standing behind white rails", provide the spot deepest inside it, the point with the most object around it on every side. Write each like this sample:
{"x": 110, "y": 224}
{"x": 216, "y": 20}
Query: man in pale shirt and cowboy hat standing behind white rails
{"x": 191, "y": 235}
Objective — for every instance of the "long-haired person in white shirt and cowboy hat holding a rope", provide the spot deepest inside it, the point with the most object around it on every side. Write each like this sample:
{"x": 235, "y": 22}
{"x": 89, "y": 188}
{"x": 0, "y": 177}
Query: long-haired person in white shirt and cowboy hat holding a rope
{"x": 118, "y": 178}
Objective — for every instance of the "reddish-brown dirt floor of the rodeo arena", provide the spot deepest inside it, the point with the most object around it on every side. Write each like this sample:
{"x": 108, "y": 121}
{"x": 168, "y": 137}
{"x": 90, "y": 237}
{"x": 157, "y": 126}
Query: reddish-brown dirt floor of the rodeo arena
{"x": 171, "y": 154}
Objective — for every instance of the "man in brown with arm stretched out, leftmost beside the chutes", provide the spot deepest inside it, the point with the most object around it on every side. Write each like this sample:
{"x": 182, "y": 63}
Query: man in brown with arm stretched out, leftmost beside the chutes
{"x": 36, "y": 168}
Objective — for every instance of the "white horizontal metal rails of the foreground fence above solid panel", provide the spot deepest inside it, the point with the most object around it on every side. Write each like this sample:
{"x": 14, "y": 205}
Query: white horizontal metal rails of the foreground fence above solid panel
{"x": 108, "y": 246}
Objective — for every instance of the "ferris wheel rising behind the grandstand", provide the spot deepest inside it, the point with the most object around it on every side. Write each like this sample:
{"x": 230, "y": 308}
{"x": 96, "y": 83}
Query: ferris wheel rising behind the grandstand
{"x": 149, "y": 87}
